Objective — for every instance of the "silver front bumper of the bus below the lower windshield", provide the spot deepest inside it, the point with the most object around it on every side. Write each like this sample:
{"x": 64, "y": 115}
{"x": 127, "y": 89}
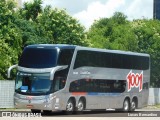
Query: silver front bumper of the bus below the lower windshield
{"x": 36, "y": 102}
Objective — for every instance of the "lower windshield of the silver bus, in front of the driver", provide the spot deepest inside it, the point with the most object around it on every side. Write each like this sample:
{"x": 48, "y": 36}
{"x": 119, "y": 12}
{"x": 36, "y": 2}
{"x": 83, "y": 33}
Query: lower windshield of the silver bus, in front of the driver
{"x": 32, "y": 83}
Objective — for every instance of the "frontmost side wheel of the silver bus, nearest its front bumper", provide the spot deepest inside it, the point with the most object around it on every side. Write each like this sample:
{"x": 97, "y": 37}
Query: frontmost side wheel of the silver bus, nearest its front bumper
{"x": 70, "y": 107}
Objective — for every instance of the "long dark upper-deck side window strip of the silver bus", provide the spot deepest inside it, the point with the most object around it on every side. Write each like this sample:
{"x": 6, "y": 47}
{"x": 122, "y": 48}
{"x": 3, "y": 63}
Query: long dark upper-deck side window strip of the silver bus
{"x": 111, "y": 60}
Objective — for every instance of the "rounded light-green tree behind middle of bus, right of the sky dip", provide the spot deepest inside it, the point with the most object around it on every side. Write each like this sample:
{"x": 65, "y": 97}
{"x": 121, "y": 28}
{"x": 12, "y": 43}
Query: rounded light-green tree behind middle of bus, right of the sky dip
{"x": 113, "y": 33}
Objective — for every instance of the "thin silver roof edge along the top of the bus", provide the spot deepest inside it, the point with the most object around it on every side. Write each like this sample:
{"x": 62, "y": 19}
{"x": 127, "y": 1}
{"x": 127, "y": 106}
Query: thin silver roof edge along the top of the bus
{"x": 67, "y": 46}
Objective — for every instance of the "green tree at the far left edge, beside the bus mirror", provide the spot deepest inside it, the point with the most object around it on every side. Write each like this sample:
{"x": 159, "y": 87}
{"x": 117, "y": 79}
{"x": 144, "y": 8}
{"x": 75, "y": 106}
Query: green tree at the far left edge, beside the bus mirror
{"x": 10, "y": 39}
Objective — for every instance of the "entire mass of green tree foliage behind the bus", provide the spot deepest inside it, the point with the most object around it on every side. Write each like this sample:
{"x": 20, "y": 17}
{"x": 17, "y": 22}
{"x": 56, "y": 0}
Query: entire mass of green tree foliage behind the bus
{"x": 33, "y": 24}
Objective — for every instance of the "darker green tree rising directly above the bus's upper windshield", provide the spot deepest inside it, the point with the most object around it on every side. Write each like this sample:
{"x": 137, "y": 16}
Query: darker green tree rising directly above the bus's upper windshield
{"x": 32, "y": 32}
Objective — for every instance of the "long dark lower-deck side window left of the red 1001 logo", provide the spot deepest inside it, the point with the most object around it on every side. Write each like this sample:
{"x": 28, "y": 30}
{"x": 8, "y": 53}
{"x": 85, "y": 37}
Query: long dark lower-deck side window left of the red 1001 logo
{"x": 95, "y": 85}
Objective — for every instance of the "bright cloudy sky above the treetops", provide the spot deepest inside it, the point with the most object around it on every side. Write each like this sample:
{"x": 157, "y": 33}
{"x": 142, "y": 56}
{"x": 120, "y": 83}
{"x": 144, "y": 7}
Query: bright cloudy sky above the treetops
{"x": 87, "y": 11}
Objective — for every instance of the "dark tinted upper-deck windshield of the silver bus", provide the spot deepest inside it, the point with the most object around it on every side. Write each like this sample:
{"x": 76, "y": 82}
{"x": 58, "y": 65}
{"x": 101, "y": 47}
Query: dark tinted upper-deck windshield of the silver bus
{"x": 38, "y": 58}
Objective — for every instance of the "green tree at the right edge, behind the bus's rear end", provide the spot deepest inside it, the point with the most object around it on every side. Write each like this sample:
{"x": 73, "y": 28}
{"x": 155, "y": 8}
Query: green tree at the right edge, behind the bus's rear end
{"x": 148, "y": 36}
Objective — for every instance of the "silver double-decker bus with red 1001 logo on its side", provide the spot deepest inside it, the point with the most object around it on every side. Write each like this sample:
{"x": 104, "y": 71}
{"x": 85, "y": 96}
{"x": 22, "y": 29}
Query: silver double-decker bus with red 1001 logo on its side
{"x": 57, "y": 77}
